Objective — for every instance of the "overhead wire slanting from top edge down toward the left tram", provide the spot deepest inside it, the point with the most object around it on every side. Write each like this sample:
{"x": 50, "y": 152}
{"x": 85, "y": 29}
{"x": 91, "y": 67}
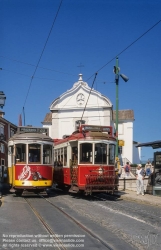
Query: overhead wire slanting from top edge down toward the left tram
{"x": 42, "y": 52}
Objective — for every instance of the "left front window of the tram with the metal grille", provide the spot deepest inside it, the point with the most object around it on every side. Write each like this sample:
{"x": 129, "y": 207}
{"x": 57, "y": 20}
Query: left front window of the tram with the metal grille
{"x": 86, "y": 153}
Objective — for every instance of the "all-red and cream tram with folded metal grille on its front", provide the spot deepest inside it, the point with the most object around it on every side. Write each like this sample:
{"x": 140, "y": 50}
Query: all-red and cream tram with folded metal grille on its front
{"x": 85, "y": 160}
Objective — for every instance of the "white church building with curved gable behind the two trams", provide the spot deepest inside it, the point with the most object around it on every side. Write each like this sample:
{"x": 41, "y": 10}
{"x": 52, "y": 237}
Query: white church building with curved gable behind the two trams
{"x": 86, "y": 104}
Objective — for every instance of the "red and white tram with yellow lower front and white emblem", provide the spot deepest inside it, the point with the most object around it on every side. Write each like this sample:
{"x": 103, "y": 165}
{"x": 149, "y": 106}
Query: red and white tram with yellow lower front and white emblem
{"x": 30, "y": 161}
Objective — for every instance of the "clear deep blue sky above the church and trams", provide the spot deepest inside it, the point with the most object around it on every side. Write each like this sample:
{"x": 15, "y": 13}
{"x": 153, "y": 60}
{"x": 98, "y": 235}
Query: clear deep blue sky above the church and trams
{"x": 90, "y": 32}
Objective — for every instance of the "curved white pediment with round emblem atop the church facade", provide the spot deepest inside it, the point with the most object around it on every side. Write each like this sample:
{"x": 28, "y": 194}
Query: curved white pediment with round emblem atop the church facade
{"x": 77, "y": 96}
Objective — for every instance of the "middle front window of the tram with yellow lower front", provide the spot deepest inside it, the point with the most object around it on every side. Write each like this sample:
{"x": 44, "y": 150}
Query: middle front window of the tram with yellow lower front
{"x": 34, "y": 153}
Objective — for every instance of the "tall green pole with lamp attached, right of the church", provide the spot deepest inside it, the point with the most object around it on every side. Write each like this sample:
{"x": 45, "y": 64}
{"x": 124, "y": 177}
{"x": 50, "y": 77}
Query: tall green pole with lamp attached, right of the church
{"x": 125, "y": 78}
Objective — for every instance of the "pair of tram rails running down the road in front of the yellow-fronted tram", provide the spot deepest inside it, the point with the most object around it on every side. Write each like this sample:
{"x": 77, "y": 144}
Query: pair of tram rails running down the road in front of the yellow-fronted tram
{"x": 75, "y": 221}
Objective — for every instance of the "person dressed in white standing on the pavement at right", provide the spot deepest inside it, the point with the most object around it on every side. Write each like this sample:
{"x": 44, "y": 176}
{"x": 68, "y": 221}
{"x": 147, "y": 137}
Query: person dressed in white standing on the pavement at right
{"x": 140, "y": 174}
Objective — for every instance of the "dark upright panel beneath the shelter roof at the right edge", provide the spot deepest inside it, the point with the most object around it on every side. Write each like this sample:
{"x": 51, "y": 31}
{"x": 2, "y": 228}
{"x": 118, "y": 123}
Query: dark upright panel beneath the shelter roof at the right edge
{"x": 157, "y": 174}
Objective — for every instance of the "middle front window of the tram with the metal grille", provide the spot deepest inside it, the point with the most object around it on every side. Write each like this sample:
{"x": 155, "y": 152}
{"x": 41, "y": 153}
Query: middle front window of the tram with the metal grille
{"x": 100, "y": 153}
